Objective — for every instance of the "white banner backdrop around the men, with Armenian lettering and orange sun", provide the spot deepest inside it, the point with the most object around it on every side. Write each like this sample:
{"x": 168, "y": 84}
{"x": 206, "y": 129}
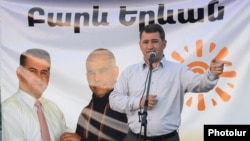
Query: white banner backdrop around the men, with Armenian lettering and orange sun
{"x": 196, "y": 32}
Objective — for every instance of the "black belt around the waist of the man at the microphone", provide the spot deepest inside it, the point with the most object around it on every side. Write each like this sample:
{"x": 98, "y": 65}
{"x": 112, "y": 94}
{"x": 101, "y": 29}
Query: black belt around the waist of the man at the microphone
{"x": 161, "y": 137}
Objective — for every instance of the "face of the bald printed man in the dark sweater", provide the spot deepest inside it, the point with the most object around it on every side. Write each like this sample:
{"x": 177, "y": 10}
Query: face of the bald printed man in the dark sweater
{"x": 101, "y": 74}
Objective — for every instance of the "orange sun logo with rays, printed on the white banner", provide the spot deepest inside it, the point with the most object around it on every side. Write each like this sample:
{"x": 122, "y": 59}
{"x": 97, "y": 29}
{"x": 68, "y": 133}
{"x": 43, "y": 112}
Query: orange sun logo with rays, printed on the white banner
{"x": 201, "y": 67}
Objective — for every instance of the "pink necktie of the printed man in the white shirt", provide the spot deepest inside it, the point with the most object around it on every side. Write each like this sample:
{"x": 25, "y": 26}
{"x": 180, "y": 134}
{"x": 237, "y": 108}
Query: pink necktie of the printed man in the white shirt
{"x": 42, "y": 121}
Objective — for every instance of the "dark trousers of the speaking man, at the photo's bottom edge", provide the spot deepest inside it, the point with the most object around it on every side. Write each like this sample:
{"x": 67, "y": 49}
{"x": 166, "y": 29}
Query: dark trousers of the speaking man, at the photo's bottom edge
{"x": 132, "y": 137}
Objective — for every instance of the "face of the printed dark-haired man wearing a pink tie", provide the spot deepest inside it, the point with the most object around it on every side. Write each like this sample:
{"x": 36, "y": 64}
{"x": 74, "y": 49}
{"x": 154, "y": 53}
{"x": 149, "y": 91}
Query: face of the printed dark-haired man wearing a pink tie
{"x": 34, "y": 76}
